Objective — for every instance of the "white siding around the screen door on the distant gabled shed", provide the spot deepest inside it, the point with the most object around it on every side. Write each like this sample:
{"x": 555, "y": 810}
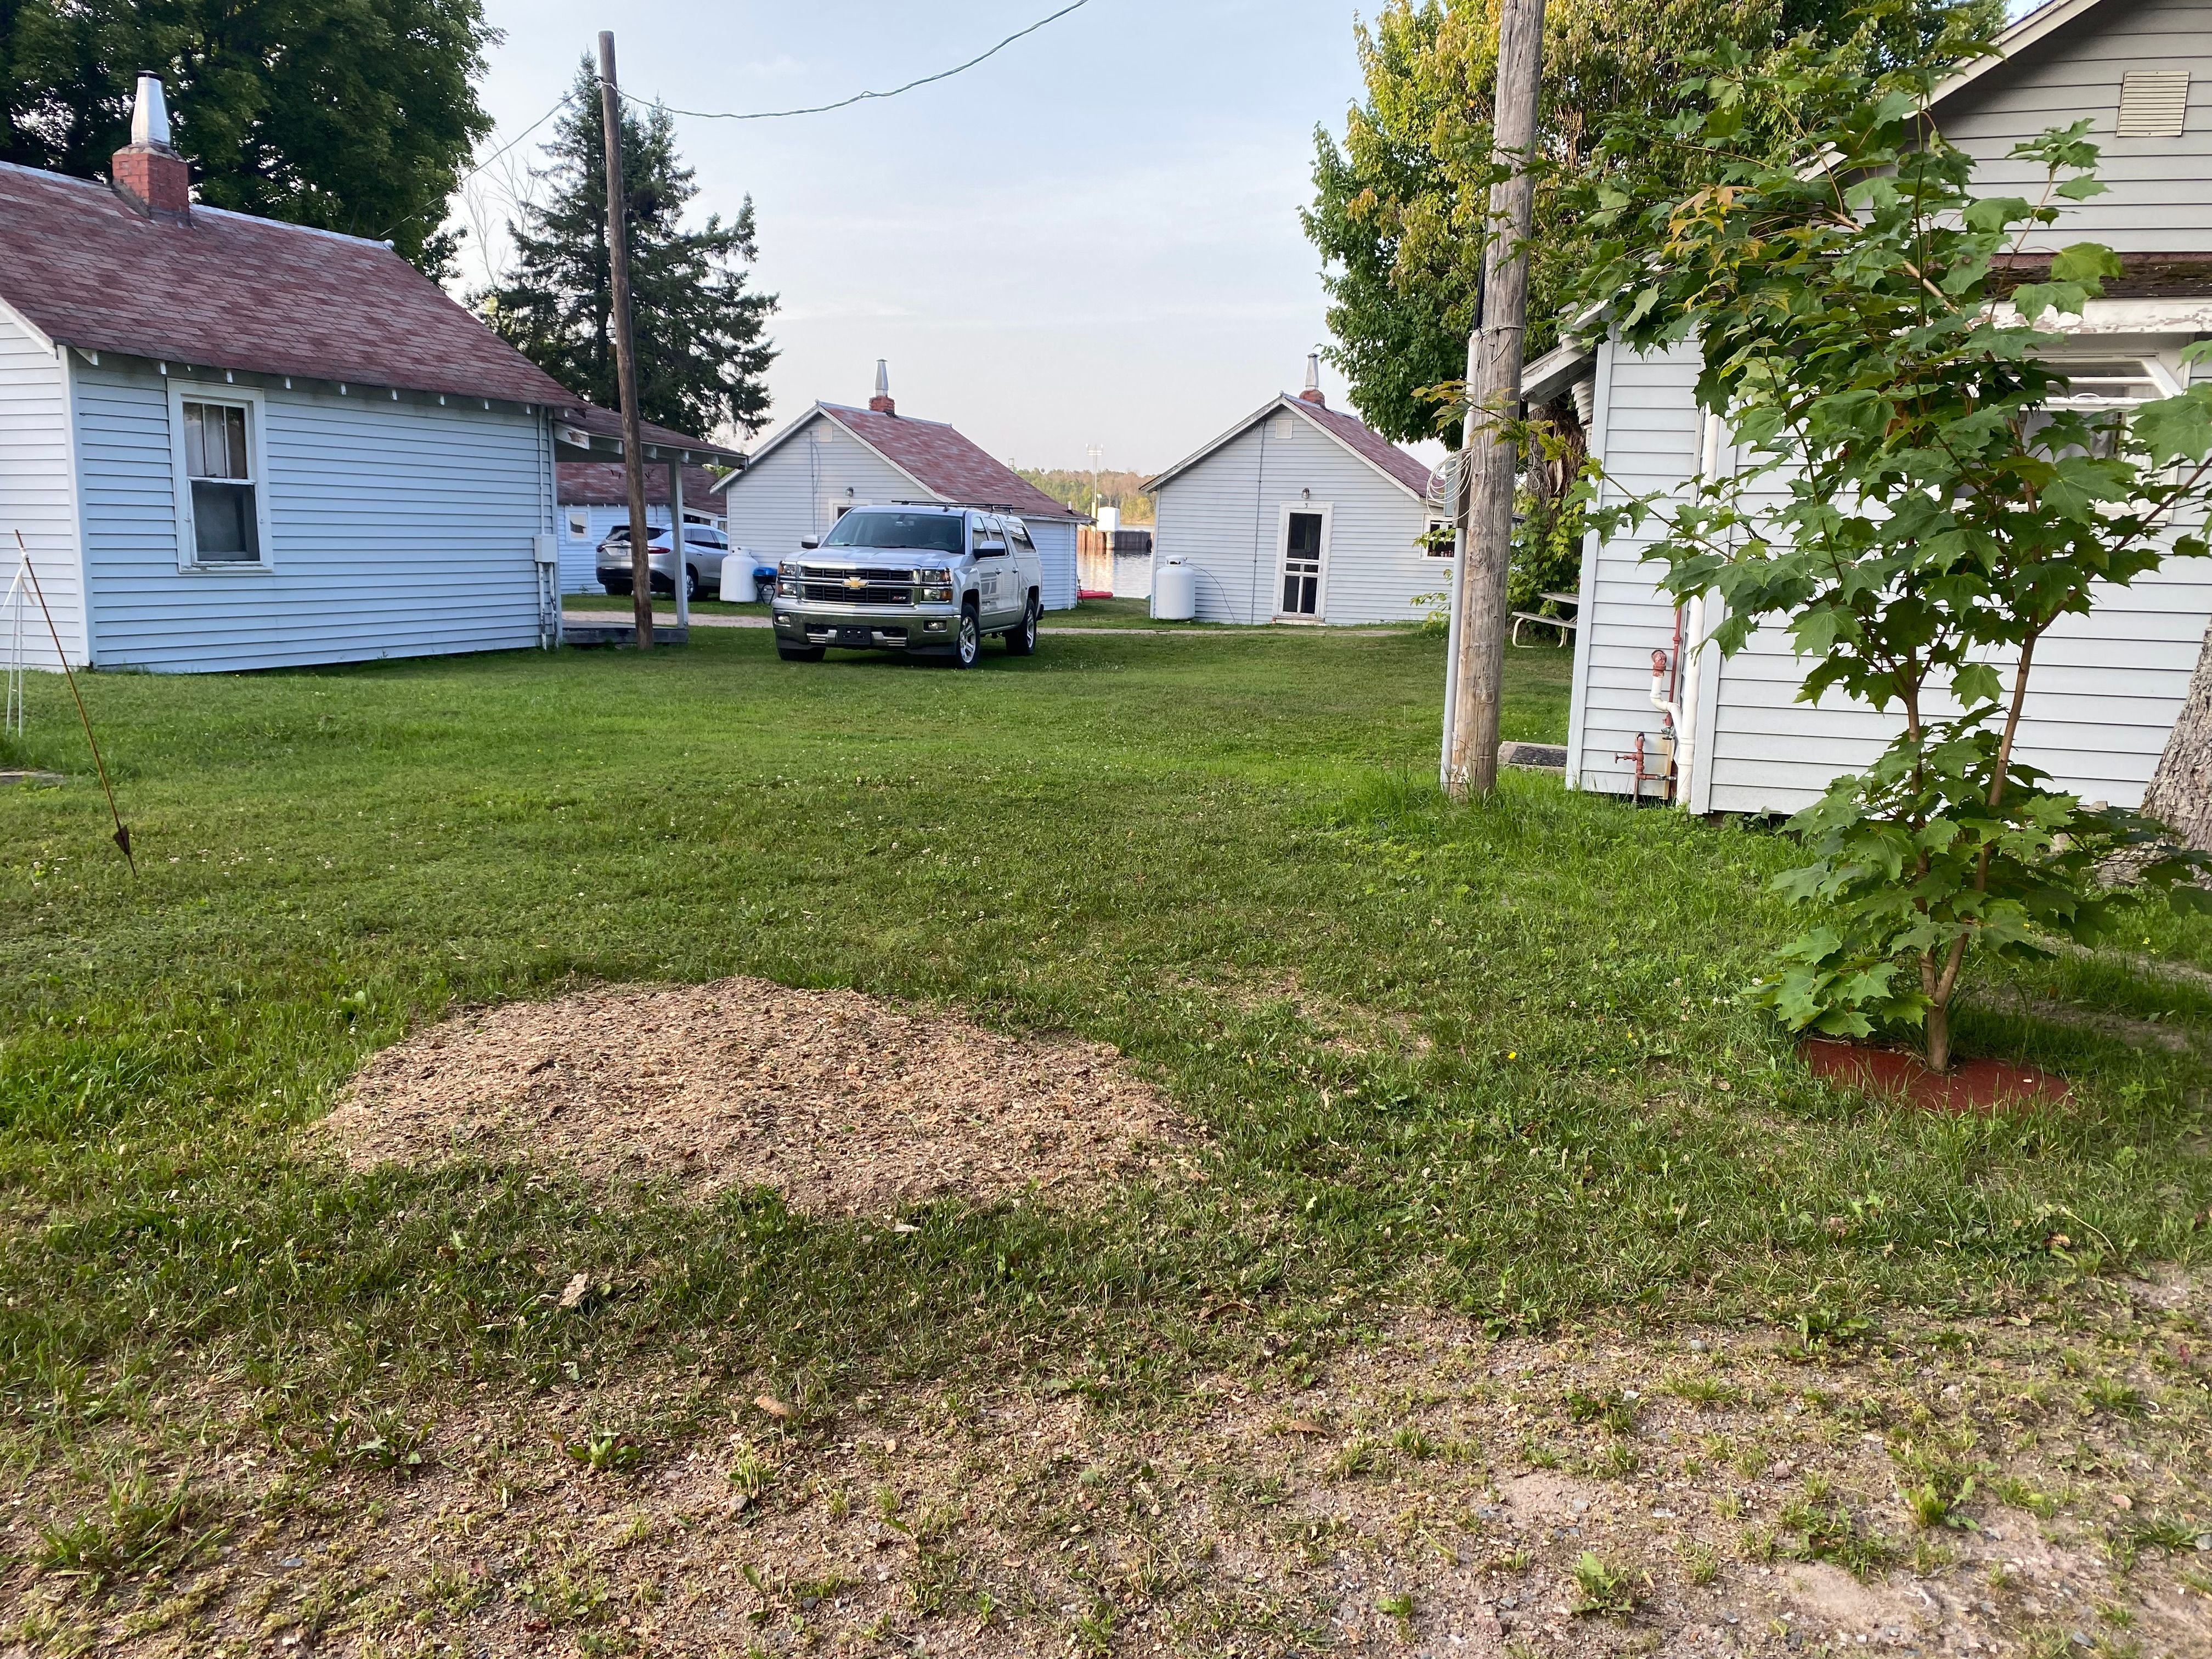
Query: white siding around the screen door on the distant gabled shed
{"x": 1224, "y": 517}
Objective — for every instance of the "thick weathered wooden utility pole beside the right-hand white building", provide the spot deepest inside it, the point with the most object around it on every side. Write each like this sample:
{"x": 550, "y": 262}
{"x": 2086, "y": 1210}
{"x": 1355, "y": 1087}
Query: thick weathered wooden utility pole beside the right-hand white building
{"x": 1490, "y": 459}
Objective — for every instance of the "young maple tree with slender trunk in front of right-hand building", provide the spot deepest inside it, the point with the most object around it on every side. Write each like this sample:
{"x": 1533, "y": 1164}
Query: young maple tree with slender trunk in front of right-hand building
{"x": 1919, "y": 499}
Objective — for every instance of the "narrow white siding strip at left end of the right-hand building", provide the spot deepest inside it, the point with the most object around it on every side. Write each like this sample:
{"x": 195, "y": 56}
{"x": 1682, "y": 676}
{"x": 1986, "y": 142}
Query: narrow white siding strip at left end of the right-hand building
{"x": 1649, "y": 435}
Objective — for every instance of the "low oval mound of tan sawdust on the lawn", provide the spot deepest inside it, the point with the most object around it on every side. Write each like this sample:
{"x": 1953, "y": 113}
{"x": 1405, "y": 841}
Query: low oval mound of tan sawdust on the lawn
{"x": 837, "y": 1100}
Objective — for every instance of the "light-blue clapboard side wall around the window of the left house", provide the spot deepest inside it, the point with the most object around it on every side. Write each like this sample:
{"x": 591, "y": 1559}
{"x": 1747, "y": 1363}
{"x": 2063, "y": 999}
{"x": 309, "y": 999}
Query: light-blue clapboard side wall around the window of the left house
{"x": 397, "y": 530}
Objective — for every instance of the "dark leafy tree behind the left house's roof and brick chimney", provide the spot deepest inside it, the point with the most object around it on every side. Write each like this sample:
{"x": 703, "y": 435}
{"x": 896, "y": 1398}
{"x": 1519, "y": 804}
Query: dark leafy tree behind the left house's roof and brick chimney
{"x": 337, "y": 114}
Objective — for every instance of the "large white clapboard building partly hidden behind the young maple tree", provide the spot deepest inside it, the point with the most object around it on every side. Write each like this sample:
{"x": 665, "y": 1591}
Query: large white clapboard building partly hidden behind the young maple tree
{"x": 2109, "y": 685}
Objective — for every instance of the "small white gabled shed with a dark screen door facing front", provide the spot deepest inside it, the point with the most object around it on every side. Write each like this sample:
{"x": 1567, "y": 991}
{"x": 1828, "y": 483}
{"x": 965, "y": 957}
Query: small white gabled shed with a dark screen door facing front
{"x": 1302, "y": 514}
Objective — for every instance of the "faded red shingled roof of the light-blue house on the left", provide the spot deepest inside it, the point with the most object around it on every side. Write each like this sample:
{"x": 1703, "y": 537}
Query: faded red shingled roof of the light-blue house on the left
{"x": 238, "y": 293}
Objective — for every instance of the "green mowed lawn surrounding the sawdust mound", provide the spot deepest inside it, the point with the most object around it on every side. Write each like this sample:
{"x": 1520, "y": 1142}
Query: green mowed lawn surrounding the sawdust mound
{"x": 1477, "y": 1058}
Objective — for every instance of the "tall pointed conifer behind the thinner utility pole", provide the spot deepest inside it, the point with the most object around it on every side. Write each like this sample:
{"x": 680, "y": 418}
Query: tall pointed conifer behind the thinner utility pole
{"x": 702, "y": 337}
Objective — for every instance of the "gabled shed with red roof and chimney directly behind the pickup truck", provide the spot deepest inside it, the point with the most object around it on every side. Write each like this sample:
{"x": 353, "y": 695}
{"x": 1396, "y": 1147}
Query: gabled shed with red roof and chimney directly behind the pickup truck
{"x": 835, "y": 459}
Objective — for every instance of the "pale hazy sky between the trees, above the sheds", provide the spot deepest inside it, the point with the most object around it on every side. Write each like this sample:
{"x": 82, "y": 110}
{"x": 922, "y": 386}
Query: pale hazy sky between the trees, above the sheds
{"x": 1089, "y": 240}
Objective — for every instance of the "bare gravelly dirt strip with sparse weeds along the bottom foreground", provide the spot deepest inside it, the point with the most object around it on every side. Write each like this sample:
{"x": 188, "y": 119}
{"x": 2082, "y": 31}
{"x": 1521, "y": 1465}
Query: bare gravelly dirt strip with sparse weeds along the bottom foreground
{"x": 1426, "y": 1494}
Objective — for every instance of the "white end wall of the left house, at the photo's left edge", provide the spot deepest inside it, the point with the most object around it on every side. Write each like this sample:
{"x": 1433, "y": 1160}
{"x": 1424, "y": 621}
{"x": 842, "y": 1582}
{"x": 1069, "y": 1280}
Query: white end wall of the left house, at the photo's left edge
{"x": 39, "y": 497}
